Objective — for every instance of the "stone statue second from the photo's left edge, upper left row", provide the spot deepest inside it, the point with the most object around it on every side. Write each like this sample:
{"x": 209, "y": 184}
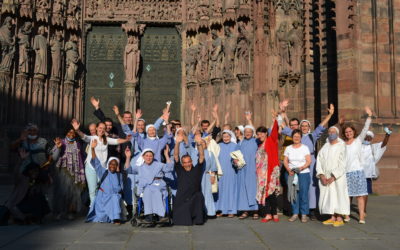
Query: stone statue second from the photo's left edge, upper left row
{"x": 24, "y": 47}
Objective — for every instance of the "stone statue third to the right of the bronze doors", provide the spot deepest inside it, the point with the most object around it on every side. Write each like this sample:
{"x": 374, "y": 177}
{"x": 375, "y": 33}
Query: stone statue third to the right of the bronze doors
{"x": 216, "y": 56}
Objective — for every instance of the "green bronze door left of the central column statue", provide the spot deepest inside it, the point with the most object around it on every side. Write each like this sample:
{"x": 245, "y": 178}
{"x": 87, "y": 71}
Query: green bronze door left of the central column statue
{"x": 105, "y": 71}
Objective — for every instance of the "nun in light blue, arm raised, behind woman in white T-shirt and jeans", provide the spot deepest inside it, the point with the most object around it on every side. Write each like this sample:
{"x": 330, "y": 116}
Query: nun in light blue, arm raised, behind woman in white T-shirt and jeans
{"x": 310, "y": 138}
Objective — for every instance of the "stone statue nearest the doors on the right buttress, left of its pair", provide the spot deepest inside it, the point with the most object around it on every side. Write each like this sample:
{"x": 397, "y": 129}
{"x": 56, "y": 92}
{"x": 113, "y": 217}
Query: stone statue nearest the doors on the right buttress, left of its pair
{"x": 283, "y": 47}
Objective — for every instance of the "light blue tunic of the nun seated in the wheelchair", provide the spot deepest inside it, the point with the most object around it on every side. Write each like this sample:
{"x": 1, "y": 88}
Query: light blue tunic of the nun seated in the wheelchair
{"x": 152, "y": 186}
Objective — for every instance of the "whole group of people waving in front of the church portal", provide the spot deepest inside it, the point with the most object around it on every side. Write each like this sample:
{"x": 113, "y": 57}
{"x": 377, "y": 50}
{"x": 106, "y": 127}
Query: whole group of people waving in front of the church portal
{"x": 208, "y": 170}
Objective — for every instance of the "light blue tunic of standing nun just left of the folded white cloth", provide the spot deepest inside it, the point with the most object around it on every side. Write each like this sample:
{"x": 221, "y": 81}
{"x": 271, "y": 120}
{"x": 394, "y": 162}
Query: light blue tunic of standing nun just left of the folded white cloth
{"x": 227, "y": 186}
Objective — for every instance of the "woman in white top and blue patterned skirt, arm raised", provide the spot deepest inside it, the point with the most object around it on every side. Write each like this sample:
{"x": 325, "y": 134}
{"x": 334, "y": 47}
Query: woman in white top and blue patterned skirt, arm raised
{"x": 356, "y": 181}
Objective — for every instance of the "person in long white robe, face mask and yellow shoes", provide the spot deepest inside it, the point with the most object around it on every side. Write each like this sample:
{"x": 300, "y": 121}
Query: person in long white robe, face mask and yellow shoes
{"x": 331, "y": 172}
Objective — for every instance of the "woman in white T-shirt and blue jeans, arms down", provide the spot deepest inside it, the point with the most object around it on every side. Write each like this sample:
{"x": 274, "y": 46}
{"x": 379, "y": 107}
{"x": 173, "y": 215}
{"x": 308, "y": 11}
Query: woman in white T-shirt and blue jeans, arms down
{"x": 297, "y": 163}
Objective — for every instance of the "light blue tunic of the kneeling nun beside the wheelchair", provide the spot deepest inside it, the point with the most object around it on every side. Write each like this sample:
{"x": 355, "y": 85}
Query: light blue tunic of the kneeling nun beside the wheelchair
{"x": 107, "y": 204}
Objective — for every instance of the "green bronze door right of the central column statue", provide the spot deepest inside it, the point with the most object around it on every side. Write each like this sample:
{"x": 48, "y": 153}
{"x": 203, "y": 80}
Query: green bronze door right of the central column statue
{"x": 160, "y": 80}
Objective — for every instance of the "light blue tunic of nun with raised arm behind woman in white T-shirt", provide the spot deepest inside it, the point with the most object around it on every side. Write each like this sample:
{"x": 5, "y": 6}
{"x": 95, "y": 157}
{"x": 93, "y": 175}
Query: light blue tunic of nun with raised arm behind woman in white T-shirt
{"x": 313, "y": 192}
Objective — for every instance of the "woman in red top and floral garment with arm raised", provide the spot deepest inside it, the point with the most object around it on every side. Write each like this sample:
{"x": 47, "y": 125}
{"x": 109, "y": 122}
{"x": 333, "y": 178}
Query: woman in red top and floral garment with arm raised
{"x": 268, "y": 172}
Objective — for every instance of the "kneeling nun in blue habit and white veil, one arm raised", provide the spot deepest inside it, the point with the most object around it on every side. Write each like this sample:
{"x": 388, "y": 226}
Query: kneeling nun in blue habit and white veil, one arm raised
{"x": 107, "y": 204}
